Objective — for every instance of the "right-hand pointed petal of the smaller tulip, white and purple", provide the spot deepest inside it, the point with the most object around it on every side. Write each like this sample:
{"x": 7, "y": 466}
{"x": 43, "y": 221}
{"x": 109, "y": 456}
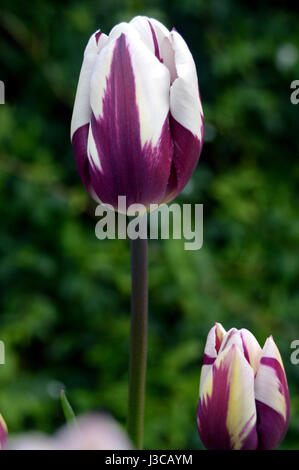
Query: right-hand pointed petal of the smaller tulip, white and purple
{"x": 272, "y": 397}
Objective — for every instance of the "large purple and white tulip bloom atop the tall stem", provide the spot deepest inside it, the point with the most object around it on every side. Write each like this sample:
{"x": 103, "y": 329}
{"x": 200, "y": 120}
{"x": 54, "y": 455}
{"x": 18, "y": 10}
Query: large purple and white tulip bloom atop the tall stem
{"x": 137, "y": 125}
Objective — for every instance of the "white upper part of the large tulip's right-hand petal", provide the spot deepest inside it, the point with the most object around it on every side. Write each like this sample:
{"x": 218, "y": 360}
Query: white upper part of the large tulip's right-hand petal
{"x": 185, "y": 104}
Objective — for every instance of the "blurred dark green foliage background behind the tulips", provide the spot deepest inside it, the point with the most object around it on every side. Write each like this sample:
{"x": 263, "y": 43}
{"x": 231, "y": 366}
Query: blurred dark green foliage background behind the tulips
{"x": 65, "y": 296}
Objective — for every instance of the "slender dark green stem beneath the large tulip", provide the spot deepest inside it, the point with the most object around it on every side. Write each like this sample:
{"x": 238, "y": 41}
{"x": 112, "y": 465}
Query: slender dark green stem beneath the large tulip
{"x": 138, "y": 343}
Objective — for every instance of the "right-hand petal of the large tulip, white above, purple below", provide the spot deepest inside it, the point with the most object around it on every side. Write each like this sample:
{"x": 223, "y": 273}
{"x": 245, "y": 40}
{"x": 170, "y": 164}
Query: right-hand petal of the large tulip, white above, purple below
{"x": 186, "y": 117}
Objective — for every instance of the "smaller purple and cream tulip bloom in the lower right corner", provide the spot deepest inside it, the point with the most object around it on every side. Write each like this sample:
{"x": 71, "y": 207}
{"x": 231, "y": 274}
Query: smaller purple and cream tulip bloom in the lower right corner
{"x": 244, "y": 400}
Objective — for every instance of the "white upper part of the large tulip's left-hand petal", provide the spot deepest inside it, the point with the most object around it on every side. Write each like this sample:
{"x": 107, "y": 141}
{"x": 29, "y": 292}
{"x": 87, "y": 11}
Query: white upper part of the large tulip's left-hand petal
{"x": 82, "y": 109}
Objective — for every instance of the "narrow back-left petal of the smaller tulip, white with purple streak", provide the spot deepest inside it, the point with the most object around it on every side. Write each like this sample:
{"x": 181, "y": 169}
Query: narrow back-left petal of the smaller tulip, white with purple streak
{"x": 212, "y": 347}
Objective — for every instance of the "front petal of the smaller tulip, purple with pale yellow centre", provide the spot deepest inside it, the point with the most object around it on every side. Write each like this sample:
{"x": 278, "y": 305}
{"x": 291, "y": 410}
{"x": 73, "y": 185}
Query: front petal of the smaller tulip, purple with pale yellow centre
{"x": 226, "y": 414}
